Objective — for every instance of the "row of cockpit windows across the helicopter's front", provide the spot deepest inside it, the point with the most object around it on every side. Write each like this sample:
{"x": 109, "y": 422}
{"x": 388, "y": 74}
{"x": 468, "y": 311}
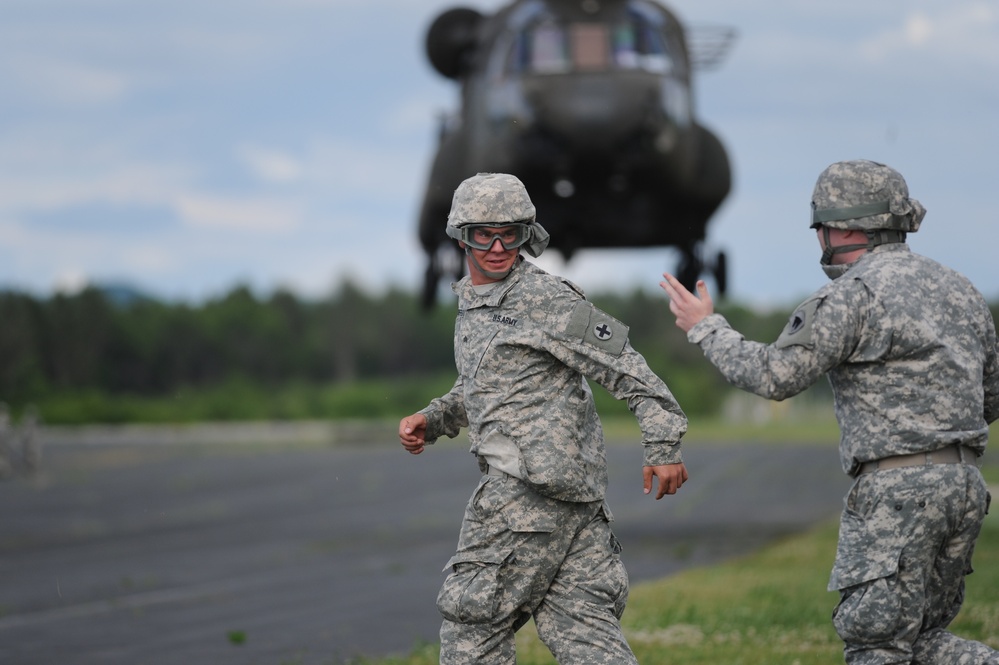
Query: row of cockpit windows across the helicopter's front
{"x": 550, "y": 47}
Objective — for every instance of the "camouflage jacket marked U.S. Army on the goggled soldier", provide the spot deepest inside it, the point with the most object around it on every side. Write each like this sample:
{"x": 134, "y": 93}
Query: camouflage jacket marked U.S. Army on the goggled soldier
{"x": 523, "y": 352}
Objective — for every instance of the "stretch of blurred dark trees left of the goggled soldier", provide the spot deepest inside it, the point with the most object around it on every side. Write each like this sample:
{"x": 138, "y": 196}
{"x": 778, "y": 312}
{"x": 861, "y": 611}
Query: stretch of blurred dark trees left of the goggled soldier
{"x": 140, "y": 345}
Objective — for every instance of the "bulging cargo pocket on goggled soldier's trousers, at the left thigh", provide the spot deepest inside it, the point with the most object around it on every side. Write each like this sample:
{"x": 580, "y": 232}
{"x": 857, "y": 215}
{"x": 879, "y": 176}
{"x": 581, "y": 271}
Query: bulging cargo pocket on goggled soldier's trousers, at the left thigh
{"x": 472, "y": 591}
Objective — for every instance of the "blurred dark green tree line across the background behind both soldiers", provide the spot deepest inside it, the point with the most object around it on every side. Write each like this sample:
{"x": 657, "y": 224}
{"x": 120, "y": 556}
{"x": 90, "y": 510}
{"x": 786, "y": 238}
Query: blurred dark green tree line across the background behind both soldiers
{"x": 98, "y": 341}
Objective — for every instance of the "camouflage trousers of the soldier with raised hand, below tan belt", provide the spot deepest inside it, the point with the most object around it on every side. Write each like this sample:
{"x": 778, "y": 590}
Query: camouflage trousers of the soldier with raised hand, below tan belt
{"x": 906, "y": 540}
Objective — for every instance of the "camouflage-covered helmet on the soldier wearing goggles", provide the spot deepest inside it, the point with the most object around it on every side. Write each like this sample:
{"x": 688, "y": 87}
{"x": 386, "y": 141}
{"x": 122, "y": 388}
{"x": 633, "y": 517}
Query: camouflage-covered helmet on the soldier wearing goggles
{"x": 496, "y": 199}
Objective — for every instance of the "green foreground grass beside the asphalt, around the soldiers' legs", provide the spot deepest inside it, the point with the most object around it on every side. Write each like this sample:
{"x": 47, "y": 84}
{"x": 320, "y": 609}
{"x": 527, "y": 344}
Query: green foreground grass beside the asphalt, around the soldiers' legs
{"x": 770, "y": 608}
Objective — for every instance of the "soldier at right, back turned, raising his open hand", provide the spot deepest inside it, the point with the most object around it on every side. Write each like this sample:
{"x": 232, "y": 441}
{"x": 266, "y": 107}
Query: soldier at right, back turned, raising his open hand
{"x": 909, "y": 347}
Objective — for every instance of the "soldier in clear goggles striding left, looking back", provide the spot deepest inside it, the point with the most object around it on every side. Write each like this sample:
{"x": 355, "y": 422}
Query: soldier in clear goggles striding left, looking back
{"x": 536, "y": 540}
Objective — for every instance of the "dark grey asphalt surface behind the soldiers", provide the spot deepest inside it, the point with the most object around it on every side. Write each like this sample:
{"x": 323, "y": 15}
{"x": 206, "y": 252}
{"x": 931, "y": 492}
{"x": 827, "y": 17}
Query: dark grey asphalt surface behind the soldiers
{"x": 137, "y": 552}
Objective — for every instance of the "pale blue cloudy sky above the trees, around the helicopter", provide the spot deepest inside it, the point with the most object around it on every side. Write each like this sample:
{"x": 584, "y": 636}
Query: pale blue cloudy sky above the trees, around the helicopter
{"x": 186, "y": 146}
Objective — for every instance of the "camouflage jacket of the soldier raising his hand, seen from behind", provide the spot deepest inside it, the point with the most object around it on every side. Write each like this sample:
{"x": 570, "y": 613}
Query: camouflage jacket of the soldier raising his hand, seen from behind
{"x": 909, "y": 347}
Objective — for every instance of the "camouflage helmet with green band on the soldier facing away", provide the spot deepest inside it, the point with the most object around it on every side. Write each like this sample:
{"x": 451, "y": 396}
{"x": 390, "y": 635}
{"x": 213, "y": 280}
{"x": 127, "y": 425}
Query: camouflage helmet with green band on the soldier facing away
{"x": 865, "y": 195}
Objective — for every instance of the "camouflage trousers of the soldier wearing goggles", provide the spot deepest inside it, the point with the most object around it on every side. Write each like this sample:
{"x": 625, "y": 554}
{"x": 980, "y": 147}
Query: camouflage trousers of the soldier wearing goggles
{"x": 521, "y": 554}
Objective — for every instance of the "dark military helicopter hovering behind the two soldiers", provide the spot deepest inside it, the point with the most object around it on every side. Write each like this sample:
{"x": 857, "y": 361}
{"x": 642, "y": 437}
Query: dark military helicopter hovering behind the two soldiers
{"x": 589, "y": 103}
